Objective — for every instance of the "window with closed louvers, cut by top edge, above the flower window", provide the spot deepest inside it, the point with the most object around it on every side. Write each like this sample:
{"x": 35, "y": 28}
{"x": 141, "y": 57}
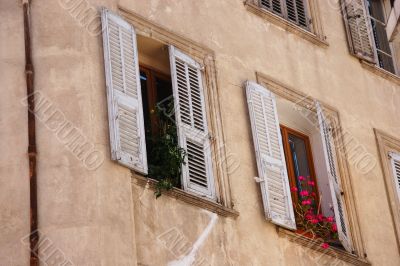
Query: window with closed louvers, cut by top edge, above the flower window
{"x": 294, "y": 11}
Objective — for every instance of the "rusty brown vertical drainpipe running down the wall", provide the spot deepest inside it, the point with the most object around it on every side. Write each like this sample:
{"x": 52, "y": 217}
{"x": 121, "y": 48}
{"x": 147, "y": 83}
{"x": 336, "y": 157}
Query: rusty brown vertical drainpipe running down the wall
{"x": 29, "y": 74}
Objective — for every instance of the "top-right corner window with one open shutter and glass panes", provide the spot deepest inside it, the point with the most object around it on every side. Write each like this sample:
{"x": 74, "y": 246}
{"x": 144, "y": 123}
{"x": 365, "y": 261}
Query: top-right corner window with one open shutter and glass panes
{"x": 366, "y": 32}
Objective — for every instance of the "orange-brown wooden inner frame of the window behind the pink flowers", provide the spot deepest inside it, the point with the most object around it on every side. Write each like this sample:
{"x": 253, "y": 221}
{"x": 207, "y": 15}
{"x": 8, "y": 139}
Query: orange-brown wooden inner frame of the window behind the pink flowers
{"x": 285, "y": 131}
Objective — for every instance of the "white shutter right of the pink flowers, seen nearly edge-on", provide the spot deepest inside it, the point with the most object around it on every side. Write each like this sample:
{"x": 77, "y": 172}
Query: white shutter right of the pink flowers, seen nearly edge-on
{"x": 334, "y": 179}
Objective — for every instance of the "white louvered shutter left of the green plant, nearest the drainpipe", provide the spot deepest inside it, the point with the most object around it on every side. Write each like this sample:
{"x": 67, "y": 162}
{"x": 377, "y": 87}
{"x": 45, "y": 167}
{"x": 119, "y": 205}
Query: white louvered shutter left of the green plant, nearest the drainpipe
{"x": 125, "y": 113}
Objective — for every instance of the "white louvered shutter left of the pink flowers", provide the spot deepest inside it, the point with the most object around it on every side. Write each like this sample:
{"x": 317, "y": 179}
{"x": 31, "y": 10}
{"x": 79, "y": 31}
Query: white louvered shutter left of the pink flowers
{"x": 273, "y": 177}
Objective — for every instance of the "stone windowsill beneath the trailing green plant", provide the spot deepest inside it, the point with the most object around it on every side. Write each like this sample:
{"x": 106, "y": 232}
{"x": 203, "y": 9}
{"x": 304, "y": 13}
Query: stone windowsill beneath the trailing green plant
{"x": 187, "y": 197}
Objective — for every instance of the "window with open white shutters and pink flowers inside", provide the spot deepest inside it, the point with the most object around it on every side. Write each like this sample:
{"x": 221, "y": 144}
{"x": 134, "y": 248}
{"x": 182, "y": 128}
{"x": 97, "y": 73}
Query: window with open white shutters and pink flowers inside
{"x": 284, "y": 154}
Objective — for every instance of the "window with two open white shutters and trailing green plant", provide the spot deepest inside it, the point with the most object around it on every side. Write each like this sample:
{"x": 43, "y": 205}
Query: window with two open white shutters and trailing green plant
{"x": 167, "y": 77}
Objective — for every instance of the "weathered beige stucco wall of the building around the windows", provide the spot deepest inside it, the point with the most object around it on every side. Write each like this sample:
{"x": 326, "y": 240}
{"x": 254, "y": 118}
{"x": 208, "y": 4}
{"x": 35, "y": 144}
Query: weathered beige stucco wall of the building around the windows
{"x": 96, "y": 217}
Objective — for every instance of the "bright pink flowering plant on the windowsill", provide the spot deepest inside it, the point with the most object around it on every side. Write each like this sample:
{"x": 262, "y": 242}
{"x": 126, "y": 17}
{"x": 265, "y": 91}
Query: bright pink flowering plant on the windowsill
{"x": 309, "y": 217}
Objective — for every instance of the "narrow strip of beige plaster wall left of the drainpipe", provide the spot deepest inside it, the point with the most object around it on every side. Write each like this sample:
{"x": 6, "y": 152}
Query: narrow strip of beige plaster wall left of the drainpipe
{"x": 14, "y": 185}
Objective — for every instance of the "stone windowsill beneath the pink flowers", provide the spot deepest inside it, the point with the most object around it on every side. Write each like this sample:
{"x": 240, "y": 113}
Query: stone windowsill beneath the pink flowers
{"x": 316, "y": 245}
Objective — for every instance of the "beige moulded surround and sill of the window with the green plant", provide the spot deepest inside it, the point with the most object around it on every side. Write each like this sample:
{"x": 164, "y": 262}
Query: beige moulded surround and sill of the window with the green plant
{"x": 206, "y": 57}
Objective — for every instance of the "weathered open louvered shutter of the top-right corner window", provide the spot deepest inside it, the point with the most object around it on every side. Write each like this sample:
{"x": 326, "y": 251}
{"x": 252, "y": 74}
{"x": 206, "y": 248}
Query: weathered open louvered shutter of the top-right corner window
{"x": 358, "y": 28}
